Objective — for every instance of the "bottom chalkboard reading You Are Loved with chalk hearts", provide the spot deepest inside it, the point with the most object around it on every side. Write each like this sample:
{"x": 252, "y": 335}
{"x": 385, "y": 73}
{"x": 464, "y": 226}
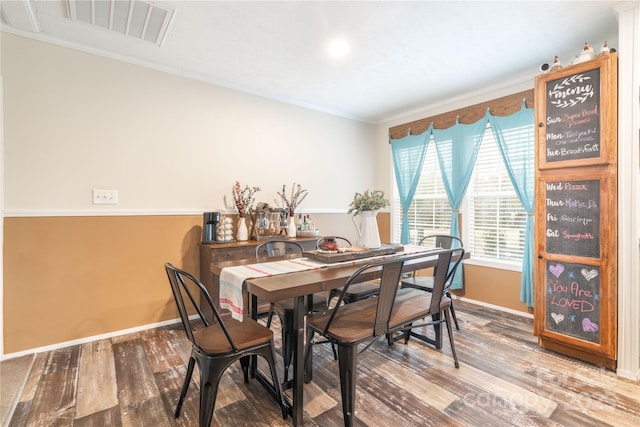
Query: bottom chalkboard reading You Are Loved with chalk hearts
{"x": 573, "y": 300}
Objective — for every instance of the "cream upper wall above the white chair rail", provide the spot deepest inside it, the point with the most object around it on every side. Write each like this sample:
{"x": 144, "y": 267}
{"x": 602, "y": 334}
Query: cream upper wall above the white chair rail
{"x": 74, "y": 122}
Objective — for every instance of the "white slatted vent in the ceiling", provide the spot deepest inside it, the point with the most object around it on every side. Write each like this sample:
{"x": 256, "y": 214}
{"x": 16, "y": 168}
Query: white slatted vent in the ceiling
{"x": 136, "y": 18}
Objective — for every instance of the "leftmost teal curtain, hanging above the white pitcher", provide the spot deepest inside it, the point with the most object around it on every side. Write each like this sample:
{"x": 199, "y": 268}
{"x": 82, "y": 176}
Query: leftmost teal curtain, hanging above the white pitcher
{"x": 408, "y": 157}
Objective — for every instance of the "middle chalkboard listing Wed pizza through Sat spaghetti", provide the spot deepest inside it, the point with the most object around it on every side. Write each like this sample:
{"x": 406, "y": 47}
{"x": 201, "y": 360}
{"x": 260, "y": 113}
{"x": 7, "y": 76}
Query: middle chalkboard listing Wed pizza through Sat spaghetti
{"x": 572, "y": 218}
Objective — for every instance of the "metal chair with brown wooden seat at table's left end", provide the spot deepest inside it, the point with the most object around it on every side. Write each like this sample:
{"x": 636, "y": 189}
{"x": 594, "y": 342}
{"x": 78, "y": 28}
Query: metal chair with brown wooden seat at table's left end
{"x": 218, "y": 343}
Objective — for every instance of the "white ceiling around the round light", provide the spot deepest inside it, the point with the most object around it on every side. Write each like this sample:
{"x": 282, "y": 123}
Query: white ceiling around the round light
{"x": 403, "y": 55}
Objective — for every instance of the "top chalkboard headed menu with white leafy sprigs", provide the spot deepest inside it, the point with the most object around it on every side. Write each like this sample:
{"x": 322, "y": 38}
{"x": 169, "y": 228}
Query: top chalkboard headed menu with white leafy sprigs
{"x": 573, "y": 117}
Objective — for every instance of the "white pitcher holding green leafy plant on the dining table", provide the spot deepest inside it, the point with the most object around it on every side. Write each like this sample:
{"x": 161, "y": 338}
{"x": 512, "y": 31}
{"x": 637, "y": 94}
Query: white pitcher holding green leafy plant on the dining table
{"x": 367, "y": 205}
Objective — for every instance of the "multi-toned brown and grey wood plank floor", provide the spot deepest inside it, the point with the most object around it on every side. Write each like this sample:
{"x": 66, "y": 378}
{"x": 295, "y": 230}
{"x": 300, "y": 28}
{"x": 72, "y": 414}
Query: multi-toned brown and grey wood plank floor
{"x": 504, "y": 379}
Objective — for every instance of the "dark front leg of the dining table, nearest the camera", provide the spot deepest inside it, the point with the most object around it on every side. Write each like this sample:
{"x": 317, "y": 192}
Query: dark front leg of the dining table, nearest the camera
{"x": 298, "y": 360}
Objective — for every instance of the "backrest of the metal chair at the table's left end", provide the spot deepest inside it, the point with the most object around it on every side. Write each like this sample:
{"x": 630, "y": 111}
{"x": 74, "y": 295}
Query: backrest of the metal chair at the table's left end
{"x": 184, "y": 284}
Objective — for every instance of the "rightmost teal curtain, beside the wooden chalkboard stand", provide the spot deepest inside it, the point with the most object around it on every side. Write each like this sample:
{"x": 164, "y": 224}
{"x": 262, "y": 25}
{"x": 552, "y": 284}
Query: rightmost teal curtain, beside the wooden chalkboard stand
{"x": 514, "y": 135}
